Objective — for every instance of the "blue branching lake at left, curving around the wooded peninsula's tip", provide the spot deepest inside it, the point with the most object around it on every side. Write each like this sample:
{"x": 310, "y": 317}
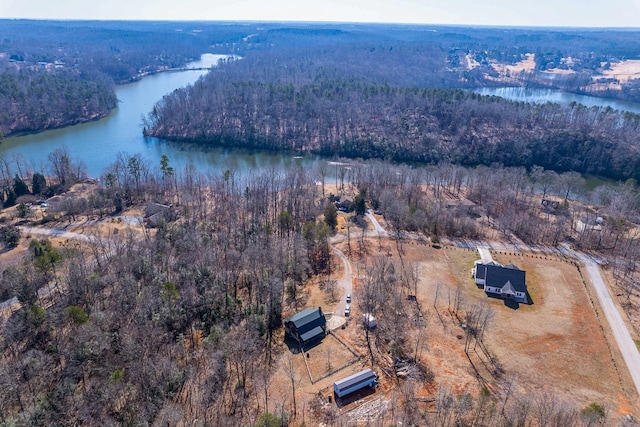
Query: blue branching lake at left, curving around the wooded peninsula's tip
{"x": 97, "y": 143}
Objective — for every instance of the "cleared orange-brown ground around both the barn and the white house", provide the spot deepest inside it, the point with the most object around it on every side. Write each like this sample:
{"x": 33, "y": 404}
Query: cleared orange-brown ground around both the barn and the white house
{"x": 553, "y": 347}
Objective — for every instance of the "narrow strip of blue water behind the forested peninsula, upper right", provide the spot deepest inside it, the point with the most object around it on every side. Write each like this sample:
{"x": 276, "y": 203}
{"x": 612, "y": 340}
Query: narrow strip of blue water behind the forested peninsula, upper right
{"x": 556, "y": 96}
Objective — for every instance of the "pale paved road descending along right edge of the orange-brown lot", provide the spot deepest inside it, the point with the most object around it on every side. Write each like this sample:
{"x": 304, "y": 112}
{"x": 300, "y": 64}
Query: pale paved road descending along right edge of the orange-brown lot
{"x": 621, "y": 333}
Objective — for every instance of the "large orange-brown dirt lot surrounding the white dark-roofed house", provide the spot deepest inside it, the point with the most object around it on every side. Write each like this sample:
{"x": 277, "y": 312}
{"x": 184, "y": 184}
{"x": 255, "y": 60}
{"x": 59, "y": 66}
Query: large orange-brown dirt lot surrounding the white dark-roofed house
{"x": 555, "y": 344}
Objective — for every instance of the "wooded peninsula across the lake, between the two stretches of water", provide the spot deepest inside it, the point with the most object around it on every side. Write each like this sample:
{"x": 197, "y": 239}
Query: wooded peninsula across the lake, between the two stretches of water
{"x": 324, "y": 102}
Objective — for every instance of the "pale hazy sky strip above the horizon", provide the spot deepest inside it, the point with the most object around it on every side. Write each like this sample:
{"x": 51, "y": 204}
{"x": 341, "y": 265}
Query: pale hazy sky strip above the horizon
{"x": 555, "y": 13}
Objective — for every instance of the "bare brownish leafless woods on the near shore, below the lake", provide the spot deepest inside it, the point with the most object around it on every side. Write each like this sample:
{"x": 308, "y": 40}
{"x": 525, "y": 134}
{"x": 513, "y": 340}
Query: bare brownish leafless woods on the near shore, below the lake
{"x": 184, "y": 322}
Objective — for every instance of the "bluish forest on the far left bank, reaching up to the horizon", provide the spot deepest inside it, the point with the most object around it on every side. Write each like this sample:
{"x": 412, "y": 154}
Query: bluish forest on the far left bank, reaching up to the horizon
{"x": 55, "y": 74}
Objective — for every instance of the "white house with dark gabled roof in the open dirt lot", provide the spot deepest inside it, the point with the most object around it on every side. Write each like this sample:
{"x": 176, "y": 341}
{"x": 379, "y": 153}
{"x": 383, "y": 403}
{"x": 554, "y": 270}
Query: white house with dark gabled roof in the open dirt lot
{"x": 507, "y": 282}
